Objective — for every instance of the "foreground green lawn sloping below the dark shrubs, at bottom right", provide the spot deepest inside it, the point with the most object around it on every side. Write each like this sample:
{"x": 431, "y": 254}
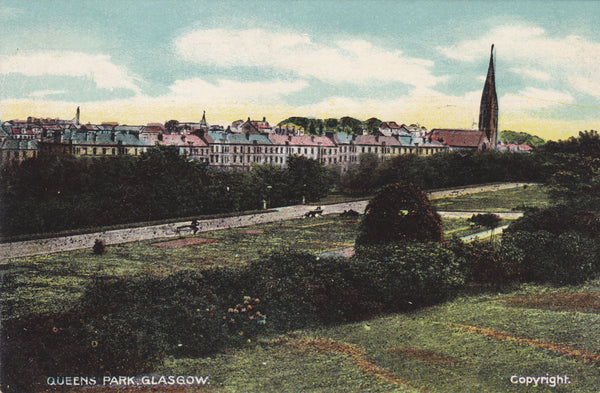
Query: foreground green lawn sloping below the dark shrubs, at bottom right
{"x": 473, "y": 362}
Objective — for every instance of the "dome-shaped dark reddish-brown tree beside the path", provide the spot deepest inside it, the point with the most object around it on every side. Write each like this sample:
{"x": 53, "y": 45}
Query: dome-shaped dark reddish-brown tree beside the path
{"x": 399, "y": 212}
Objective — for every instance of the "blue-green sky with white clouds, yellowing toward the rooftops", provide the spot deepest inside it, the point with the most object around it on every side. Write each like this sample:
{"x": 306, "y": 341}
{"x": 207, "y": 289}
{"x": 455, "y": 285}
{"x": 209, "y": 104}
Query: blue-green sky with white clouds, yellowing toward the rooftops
{"x": 413, "y": 62}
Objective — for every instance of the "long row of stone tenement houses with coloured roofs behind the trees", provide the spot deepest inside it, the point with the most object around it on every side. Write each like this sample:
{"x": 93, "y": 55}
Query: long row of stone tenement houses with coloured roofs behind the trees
{"x": 237, "y": 147}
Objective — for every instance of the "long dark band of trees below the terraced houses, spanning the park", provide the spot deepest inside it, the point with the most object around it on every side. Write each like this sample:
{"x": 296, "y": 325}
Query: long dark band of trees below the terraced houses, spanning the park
{"x": 57, "y": 192}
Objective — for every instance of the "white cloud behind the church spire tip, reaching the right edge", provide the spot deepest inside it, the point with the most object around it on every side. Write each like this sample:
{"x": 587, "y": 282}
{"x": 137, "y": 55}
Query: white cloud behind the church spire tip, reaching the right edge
{"x": 569, "y": 59}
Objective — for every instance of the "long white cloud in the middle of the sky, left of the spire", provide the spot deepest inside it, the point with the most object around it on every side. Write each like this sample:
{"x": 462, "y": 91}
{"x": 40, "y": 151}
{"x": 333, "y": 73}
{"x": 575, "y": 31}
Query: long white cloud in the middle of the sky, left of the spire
{"x": 342, "y": 61}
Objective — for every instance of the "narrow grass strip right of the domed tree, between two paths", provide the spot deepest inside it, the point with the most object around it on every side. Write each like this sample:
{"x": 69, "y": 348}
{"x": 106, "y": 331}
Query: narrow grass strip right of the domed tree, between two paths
{"x": 498, "y": 201}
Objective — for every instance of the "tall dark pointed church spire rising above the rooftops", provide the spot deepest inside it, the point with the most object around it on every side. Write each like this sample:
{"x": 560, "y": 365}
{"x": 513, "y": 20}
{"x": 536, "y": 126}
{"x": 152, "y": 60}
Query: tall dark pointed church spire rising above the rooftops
{"x": 488, "y": 111}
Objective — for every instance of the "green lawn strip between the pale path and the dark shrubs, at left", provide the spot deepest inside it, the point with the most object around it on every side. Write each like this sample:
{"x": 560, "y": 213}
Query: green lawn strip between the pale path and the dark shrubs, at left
{"x": 55, "y": 282}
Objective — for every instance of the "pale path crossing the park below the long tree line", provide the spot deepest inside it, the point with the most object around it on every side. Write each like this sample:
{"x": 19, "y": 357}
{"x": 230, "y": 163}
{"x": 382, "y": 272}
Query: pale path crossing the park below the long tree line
{"x": 74, "y": 242}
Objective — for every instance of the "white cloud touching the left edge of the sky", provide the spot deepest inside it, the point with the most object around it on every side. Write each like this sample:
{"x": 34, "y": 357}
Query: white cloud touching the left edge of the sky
{"x": 97, "y": 68}
